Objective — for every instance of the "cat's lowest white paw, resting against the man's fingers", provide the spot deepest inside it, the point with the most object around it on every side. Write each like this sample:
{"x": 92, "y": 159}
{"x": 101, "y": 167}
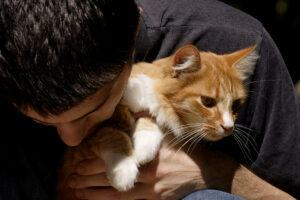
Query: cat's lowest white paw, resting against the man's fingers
{"x": 123, "y": 174}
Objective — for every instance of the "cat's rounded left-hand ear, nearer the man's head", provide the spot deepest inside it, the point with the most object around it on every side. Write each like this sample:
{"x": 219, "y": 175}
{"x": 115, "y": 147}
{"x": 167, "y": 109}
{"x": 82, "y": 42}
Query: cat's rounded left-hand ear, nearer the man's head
{"x": 186, "y": 60}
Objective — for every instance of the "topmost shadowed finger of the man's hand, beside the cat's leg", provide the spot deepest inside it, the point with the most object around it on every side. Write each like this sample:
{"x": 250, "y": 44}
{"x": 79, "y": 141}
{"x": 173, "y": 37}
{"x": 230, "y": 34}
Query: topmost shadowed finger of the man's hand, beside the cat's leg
{"x": 90, "y": 167}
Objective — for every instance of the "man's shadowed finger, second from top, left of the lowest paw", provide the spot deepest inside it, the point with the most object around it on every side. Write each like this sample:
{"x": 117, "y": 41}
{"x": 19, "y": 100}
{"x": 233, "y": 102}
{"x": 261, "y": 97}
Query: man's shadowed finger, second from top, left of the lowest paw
{"x": 85, "y": 181}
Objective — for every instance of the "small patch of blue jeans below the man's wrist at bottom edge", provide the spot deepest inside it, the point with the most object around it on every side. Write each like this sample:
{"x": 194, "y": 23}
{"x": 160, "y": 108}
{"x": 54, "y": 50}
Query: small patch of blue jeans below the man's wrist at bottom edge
{"x": 209, "y": 194}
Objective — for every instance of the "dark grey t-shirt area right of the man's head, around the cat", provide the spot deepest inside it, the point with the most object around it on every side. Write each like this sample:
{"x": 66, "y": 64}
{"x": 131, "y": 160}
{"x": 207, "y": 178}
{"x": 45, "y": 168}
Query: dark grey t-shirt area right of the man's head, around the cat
{"x": 272, "y": 111}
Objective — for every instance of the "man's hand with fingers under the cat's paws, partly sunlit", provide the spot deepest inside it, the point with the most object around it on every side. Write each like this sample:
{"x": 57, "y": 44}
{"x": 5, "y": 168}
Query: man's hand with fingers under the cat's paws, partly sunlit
{"x": 171, "y": 176}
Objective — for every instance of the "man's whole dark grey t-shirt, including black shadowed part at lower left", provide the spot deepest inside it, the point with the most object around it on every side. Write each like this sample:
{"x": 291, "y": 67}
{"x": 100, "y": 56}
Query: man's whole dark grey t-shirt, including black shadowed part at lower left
{"x": 30, "y": 153}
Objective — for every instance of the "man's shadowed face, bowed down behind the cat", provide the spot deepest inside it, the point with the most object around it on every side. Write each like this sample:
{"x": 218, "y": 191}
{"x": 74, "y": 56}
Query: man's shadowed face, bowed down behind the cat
{"x": 78, "y": 122}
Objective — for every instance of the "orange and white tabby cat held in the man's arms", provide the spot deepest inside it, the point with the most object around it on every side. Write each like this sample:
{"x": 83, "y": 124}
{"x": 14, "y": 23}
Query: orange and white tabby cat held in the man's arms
{"x": 189, "y": 93}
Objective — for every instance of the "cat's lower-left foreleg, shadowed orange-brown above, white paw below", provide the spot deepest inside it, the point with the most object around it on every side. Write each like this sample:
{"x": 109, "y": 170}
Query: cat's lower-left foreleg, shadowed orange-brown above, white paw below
{"x": 115, "y": 148}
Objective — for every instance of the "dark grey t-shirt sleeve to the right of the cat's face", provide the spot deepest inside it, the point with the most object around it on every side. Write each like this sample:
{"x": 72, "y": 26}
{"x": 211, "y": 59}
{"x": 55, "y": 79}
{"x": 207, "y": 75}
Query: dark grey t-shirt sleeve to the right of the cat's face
{"x": 273, "y": 113}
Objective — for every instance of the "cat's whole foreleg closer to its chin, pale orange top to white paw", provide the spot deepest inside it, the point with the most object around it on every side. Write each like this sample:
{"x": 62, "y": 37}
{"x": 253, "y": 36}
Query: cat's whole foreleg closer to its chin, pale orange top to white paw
{"x": 147, "y": 139}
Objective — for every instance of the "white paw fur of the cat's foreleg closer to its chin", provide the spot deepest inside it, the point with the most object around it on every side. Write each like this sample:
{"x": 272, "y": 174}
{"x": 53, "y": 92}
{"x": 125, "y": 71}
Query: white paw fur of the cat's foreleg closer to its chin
{"x": 146, "y": 145}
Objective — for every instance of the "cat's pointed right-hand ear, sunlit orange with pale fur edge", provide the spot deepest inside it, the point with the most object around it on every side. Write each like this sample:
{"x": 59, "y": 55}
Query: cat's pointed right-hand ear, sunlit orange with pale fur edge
{"x": 244, "y": 60}
